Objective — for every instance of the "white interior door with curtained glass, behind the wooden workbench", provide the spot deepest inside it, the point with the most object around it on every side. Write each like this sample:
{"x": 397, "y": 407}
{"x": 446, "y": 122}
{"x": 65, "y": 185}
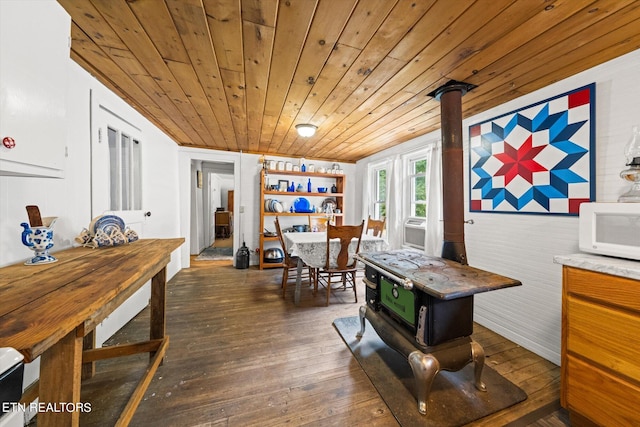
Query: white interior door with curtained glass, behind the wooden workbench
{"x": 116, "y": 188}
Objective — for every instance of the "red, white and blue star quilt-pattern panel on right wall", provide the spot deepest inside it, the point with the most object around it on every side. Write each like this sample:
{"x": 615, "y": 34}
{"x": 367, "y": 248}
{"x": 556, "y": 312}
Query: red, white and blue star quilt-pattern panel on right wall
{"x": 536, "y": 160}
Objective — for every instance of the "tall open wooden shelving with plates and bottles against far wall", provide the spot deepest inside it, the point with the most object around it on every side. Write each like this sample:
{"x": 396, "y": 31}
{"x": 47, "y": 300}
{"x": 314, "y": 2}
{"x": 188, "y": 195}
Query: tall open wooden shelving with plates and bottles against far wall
{"x": 267, "y": 218}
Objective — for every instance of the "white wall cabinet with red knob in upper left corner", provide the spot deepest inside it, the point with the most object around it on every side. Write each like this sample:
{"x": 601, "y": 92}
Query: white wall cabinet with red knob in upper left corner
{"x": 33, "y": 87}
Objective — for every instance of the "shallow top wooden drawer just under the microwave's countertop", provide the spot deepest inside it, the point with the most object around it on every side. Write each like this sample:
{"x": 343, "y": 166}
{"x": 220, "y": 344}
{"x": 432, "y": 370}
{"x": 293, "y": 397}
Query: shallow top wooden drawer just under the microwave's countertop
{"x": 611, "y": 290}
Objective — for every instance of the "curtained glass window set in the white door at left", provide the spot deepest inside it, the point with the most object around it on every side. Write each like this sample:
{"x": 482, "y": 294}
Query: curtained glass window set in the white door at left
{"x": 124, "y": 166}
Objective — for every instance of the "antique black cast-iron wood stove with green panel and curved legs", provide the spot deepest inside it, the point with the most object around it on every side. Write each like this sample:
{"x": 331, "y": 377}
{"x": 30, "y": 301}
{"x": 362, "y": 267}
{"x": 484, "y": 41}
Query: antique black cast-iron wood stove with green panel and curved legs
{"x": 422, "y": 307}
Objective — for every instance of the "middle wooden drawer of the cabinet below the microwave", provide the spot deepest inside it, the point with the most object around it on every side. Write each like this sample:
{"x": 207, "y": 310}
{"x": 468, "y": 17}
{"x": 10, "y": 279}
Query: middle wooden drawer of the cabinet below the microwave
{"x": 604, "y": 335}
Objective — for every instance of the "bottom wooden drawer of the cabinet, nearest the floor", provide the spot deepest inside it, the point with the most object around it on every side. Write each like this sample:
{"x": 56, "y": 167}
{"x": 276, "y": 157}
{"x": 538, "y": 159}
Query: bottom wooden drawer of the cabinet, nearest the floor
{"x": 601, "y": 397}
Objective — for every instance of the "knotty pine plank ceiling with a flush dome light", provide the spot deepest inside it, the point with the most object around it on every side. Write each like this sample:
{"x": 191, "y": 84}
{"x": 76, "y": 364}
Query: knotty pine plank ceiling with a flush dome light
{"x": 238, "y": 75}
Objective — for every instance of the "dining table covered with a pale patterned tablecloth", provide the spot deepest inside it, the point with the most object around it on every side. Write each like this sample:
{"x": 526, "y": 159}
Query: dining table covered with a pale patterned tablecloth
{"x": 311, "y": 250}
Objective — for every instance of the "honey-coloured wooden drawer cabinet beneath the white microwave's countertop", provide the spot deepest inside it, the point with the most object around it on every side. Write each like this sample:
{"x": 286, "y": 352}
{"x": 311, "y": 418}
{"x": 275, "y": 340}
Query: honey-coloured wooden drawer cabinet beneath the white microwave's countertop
{"x": 600, "y": 347}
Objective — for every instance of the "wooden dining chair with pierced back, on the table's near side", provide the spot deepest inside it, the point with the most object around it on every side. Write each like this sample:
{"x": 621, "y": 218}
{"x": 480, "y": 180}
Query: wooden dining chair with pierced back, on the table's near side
{"x": 341, "y": 264}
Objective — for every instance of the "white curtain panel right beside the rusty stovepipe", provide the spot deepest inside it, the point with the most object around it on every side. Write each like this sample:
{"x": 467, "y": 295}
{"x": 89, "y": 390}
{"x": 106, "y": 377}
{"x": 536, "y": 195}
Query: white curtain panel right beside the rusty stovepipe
{"x": 435, "y": 226}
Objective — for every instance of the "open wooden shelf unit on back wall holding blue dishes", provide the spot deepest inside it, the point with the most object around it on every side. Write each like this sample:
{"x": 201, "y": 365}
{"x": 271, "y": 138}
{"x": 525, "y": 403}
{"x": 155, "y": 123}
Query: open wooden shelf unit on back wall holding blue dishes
{"x": 267, "y": 218}
